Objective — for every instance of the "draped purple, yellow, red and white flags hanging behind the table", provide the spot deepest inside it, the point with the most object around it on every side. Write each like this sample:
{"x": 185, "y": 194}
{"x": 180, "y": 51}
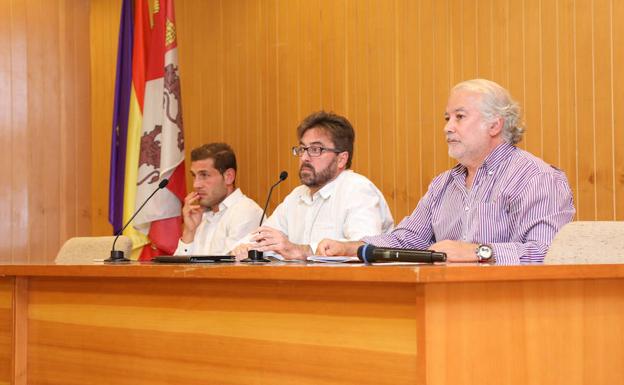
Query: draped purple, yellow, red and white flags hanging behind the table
{"x": 148, "y": 136}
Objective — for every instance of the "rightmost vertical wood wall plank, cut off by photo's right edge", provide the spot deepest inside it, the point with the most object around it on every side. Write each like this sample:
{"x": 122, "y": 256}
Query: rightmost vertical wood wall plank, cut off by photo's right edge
{"x": 617, "y": 91}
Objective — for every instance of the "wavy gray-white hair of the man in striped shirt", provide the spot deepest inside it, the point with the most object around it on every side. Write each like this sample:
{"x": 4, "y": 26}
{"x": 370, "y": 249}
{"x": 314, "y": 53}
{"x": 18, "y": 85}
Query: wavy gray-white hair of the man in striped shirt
{"x": 496, "y": 102}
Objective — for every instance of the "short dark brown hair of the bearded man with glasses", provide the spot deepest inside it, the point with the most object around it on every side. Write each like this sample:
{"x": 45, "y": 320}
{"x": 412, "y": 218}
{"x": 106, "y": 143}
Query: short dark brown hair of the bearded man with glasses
{"x": 339, "y": 128}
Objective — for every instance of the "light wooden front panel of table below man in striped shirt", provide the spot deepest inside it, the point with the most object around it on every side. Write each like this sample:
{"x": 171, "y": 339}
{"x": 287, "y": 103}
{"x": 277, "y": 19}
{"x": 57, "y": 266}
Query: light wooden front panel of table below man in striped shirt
{"x": 566, "y": 332}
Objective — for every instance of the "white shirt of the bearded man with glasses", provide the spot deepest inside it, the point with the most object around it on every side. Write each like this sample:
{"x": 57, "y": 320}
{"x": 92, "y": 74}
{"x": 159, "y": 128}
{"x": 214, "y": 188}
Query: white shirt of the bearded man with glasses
{"x": 347, "y": 208}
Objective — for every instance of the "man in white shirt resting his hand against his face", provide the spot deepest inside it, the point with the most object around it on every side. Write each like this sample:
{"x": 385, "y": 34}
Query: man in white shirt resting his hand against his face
{"x": 216, "y": 214}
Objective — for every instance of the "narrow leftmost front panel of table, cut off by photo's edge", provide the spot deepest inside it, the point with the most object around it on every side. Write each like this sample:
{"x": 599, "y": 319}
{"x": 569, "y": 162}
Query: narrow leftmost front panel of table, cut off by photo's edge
{"x": 6, "y": 330}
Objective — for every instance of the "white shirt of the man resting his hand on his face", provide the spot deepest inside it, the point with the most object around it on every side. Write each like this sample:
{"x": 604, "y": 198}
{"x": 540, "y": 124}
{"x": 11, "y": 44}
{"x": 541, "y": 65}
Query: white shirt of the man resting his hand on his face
{"x": 218, "y": 232}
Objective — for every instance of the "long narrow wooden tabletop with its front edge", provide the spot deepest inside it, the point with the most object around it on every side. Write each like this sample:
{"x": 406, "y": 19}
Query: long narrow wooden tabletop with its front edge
{"x": 472, "y": 272}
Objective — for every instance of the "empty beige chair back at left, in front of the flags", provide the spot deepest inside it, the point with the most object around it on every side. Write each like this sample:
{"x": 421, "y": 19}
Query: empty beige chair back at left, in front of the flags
{"x": 84, "y": 250}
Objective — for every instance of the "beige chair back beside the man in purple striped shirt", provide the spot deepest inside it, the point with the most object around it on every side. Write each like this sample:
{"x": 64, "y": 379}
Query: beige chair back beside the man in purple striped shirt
{"x": 588, "y": 242}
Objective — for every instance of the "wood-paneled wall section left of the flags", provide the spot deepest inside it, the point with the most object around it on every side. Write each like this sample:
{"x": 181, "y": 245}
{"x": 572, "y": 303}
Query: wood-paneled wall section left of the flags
{"x": 45, "y": 133}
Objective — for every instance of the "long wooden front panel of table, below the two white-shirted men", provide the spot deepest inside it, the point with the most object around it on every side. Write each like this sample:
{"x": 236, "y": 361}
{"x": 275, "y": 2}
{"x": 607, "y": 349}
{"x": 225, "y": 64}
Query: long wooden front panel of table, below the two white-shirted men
{"x": 192, "y": 331}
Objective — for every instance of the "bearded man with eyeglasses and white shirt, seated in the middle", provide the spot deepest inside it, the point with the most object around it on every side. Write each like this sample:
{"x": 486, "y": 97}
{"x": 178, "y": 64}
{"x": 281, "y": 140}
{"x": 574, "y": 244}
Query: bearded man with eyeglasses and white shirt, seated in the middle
{"x": 332, "y": 200}
